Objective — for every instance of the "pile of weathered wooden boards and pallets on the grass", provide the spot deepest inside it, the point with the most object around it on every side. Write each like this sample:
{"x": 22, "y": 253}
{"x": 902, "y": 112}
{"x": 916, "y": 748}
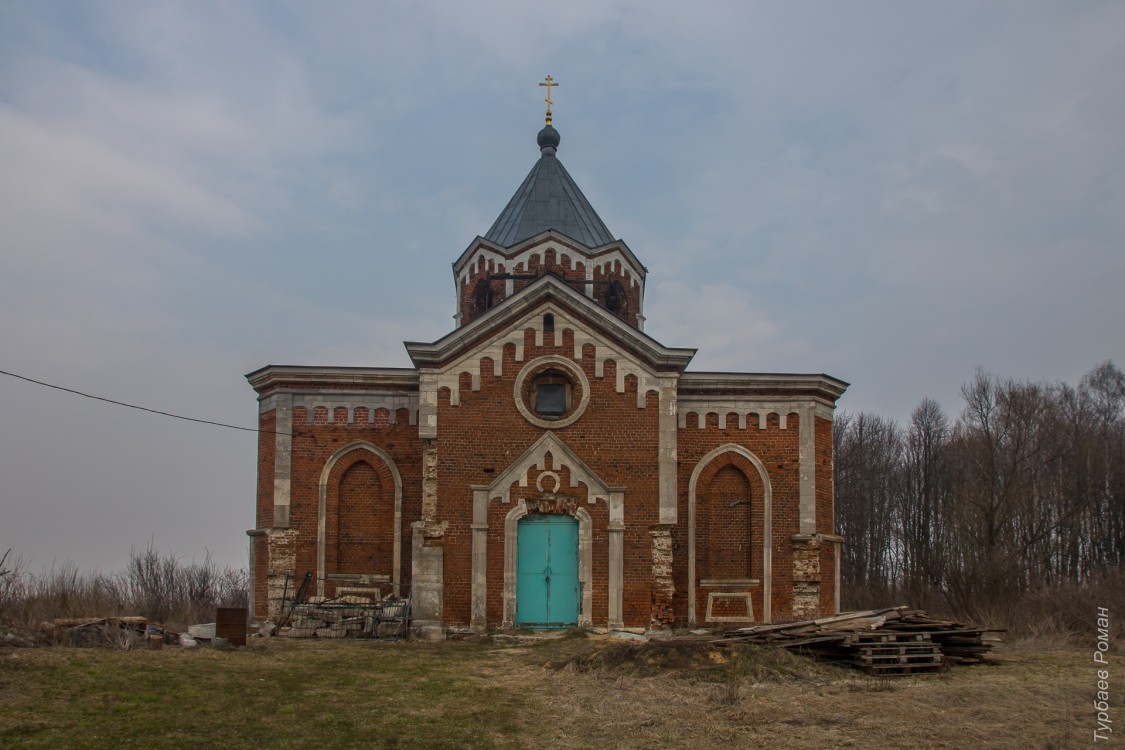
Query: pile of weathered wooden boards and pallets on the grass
{"x": 892, "y": 641}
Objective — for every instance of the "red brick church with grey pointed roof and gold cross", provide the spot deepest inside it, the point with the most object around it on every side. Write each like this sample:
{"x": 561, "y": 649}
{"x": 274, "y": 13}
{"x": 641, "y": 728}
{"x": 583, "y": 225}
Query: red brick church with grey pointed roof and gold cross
{"x": 547, "y": 464}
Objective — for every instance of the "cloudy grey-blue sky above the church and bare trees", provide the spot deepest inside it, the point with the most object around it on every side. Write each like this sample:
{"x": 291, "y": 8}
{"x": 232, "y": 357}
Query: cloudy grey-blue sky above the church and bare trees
{"x": 893, "y": 194}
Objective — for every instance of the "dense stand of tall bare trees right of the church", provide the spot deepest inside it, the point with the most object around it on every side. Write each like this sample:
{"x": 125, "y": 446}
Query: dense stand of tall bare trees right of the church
{"x": 1024, "y": 494}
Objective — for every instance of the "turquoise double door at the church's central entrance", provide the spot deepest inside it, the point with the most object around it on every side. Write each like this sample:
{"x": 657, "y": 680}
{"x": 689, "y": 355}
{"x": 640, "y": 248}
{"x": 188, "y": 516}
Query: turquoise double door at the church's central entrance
{"x": 547, "y": 572}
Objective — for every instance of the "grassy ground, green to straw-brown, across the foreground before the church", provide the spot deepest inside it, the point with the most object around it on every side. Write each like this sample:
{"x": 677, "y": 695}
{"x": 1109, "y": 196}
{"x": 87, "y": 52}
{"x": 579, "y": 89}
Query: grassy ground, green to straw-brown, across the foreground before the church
{"x": 565, "y": 693}
